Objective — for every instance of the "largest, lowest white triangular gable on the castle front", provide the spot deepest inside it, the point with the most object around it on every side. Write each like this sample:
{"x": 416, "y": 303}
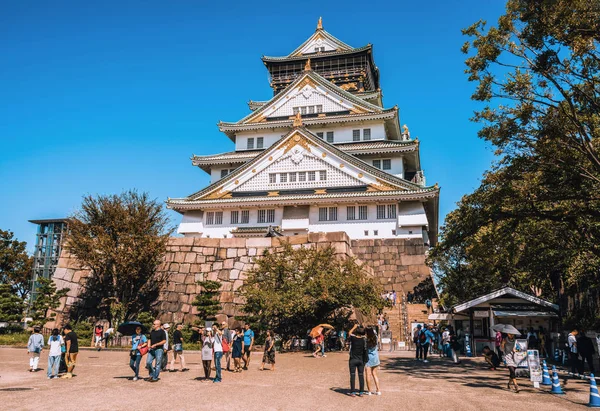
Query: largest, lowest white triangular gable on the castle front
{"x": 300, "y": 145}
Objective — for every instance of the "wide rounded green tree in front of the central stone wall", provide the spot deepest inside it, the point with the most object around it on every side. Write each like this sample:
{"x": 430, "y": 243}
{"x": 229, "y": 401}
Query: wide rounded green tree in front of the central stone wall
{"x": 296, "y": 289}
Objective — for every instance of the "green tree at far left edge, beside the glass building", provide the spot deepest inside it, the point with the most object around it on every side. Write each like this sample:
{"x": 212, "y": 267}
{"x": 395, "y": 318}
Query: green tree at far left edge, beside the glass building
{"x": 15, "y": 264}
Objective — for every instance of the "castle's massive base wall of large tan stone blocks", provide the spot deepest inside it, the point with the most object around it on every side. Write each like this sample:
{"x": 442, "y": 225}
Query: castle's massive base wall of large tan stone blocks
{"x": 397, "y": 263}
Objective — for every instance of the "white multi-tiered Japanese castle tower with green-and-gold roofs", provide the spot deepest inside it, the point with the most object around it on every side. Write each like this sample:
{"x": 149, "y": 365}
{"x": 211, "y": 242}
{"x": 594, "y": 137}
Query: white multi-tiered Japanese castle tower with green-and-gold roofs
{"x": 324, "y": 154}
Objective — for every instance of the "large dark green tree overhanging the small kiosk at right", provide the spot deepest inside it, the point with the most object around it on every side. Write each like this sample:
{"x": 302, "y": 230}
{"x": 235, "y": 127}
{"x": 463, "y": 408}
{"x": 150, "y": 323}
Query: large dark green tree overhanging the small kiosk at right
{"x": 534, "y": 221}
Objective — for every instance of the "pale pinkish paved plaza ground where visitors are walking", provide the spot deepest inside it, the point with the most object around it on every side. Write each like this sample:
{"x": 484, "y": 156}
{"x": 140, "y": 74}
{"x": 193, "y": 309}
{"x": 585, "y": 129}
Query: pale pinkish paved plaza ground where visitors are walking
{"x": 103, "y": 382}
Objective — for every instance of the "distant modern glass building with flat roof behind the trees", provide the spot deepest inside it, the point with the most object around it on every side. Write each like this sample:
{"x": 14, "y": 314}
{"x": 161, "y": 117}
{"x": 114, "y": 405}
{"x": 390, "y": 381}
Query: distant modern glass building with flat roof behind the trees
{"x": 48, "y": 245}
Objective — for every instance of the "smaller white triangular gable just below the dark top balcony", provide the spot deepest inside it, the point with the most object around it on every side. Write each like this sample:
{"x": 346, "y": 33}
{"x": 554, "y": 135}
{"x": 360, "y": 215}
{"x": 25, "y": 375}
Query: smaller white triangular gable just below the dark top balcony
{"x": 310, "y": 90}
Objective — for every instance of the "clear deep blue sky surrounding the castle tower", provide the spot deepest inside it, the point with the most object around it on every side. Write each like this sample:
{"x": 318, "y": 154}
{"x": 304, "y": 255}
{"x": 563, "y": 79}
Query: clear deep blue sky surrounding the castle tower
{"x": 101, "y": 97}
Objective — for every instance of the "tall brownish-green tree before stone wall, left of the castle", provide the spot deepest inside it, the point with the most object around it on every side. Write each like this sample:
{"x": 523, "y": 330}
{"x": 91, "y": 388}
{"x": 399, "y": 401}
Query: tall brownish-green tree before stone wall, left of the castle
{"x": 122, "y": 240}
